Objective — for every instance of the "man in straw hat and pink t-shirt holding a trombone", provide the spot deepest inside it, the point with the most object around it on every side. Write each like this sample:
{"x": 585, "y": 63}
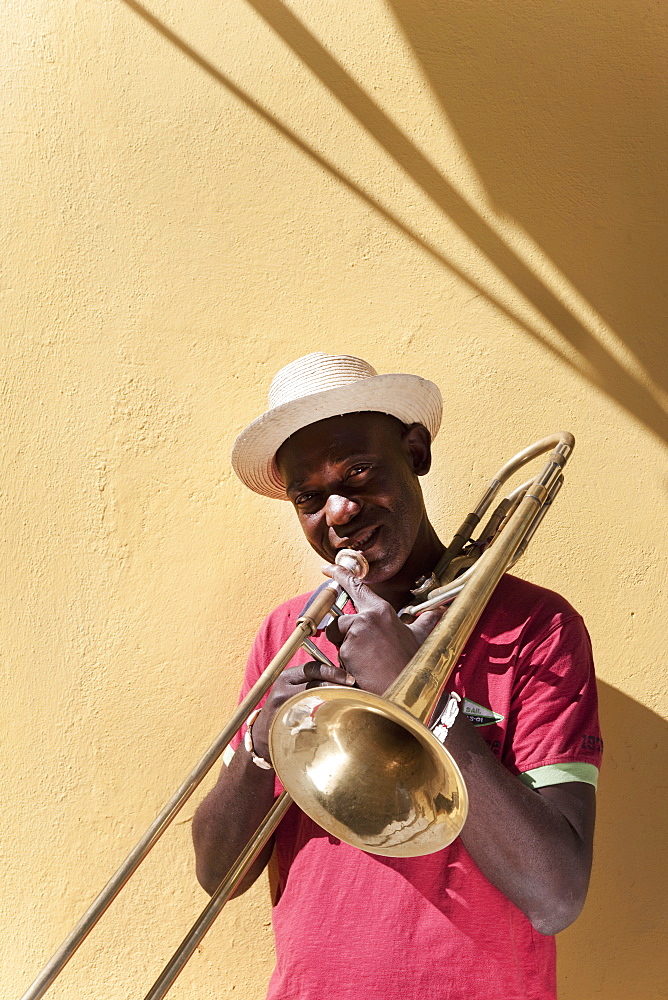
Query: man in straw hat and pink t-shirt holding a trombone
{"x": 474, "y": 921}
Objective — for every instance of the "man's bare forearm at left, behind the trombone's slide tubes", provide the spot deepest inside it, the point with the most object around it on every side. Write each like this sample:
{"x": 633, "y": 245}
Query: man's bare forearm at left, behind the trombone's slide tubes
{"x": 227, "y": 818}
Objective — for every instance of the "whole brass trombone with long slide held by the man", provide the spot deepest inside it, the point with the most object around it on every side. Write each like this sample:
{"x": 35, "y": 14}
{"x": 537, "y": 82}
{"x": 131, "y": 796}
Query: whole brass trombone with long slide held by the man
{"x": 368, "y": 769}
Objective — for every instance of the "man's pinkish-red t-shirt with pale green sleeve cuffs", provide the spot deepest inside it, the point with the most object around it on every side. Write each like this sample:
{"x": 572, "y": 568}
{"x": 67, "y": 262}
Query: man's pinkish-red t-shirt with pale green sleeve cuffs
{"x": 355, "y": 926}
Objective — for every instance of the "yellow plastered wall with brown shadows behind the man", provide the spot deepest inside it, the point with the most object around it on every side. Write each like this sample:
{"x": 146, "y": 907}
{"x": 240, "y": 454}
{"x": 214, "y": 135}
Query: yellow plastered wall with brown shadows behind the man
{"x": 193, "y": 196}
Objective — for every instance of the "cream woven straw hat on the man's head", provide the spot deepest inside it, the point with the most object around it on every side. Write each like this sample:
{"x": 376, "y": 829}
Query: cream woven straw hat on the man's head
{"x": 318, "y": 386}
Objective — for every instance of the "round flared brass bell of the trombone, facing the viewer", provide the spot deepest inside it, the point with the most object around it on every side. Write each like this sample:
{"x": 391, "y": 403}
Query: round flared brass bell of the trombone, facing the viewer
{"x": 368, "y": 772}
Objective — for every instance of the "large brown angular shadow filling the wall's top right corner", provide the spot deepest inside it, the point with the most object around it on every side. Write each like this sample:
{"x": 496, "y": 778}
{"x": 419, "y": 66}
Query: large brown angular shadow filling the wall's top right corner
{"x": 563, "y": 110}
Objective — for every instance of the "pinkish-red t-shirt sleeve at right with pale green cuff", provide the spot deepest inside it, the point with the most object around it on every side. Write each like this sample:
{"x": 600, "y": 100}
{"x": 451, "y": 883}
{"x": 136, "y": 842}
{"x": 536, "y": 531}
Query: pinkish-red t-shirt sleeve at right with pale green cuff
{"x": 553, "y": 731}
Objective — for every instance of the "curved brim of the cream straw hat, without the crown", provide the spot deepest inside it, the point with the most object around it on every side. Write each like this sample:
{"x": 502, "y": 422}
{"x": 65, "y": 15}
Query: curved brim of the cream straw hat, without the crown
{"x": 411, "y": 399}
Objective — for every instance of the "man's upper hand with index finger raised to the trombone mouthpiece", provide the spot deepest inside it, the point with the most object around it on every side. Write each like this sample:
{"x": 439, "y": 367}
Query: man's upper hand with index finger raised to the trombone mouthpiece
{"x": 374, "y": 645}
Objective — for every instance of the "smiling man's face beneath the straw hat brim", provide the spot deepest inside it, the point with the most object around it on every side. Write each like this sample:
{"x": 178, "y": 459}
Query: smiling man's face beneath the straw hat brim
{"x": 353, "y": 482}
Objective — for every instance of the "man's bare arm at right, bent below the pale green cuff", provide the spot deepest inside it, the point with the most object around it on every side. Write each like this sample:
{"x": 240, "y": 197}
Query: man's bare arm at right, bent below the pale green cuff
{"x": 519, "y": 839}
